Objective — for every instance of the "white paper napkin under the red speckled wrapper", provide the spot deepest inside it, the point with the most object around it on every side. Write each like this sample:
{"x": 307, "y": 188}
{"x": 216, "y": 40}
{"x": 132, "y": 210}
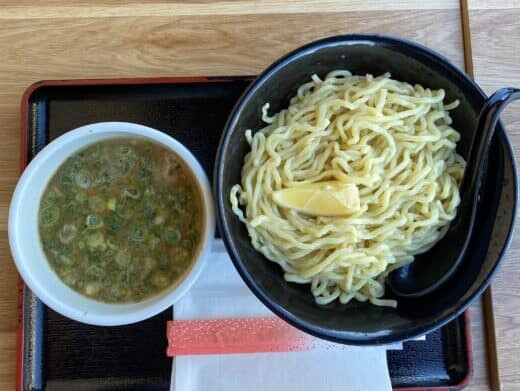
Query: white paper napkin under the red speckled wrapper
{"x": 221, "y": 293}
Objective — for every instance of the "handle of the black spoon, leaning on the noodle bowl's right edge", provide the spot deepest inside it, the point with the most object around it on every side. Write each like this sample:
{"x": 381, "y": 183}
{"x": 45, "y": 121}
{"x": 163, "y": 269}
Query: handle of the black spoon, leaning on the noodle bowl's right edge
{"x": 488, "y": 118}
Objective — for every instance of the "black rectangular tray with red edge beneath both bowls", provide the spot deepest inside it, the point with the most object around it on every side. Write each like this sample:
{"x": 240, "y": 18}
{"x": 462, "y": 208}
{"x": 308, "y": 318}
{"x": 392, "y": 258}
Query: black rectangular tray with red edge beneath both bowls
{"x": 61, "y": 354}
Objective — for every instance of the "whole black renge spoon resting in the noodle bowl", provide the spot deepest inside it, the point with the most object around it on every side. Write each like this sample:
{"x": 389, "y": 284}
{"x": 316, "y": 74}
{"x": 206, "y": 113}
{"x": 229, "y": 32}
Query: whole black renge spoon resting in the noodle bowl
{"x": 431, "y": 269}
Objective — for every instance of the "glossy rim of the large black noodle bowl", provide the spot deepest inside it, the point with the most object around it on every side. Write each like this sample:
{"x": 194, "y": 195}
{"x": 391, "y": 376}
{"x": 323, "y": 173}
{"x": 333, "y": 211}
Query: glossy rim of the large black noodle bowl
{"x": 412, "y": 49}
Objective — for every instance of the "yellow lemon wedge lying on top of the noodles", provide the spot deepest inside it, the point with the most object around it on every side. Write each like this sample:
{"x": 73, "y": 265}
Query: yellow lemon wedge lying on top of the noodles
{"x": 320, "y": 199}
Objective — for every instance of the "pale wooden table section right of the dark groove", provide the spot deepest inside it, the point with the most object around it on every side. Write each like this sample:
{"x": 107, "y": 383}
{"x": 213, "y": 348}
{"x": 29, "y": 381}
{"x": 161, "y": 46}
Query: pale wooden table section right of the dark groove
{"x": 496, "y": 59}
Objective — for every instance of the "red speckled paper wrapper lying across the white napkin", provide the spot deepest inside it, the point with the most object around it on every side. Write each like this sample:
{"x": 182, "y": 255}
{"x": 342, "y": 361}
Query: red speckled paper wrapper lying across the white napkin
{"x": 237, "y": 335}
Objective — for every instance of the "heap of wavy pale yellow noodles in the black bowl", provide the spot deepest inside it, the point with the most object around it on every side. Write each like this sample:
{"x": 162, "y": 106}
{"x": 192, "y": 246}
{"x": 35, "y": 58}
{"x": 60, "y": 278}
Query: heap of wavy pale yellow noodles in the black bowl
{"x": 390, "y": 139}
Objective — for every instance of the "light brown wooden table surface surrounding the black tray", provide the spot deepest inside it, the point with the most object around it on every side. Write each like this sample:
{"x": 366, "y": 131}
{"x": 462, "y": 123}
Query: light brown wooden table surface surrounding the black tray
{"x": 59, "y": 39}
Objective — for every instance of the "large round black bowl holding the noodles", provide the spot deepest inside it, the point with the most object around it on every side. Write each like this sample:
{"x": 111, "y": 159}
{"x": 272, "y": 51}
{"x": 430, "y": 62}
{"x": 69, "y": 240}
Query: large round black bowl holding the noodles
{"x": 363, "y": 323}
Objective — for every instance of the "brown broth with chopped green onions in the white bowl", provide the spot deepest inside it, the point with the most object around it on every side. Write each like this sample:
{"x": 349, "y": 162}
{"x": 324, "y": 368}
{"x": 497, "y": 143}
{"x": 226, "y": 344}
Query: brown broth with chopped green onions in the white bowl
{"x": 121, "y": 220}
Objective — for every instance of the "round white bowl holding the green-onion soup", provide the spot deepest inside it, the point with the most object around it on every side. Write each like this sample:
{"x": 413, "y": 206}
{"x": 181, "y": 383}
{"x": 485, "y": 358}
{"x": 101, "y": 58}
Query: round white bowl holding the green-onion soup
{"x": 28, "y": 253}
